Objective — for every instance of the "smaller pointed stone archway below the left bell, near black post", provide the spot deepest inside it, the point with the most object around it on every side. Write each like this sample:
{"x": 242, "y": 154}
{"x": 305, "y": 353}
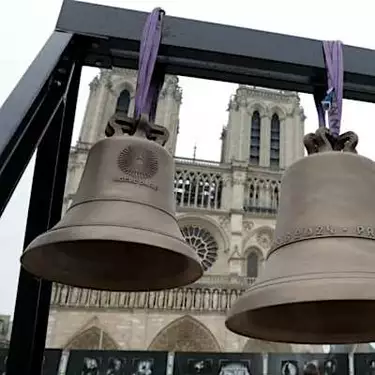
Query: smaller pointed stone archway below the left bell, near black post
{"x": 92, "y": 338}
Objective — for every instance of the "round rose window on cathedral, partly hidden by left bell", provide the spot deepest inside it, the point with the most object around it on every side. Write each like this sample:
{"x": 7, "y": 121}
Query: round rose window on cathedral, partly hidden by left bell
{"x": 203, "y": 242}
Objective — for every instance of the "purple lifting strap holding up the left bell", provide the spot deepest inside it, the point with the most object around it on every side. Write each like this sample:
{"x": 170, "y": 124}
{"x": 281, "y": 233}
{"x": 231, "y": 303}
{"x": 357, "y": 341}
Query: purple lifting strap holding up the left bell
{"x": 149, "y": 82}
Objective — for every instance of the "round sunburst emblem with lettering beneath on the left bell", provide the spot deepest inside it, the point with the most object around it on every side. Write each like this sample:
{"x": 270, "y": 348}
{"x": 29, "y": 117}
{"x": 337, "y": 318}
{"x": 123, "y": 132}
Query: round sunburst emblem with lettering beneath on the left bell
{"x": 138, "y": 165}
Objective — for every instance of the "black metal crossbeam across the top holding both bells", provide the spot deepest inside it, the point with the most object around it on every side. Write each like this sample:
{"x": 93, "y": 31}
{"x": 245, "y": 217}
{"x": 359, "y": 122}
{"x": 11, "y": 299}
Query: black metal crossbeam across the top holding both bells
{"x": 218, "y": 52}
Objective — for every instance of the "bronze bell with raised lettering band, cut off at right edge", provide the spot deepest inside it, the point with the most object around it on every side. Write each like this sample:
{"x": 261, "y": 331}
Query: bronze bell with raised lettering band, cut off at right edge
{"x": 318, "y": 283}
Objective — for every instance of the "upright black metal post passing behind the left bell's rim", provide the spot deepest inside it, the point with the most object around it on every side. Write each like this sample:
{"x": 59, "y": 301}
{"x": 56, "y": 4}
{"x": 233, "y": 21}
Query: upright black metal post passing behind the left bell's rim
{"x": 33, "y": 296}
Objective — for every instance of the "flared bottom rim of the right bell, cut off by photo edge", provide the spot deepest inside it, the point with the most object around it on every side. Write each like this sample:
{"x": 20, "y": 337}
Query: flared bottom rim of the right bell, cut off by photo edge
{"x": 239, "y": 320}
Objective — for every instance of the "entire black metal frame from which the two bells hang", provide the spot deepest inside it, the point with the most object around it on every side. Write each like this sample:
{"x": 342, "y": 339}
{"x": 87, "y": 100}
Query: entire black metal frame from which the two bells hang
{"x": 39, "y": 113}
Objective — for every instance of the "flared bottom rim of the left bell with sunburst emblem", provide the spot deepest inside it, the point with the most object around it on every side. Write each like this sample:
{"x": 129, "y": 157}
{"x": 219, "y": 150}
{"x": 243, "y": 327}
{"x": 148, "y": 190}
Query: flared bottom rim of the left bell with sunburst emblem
{"x": 193, "y": 272}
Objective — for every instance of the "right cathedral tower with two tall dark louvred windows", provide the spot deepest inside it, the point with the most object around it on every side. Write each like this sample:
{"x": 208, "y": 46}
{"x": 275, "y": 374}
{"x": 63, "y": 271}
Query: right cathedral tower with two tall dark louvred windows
{"x": 265, "y": 128}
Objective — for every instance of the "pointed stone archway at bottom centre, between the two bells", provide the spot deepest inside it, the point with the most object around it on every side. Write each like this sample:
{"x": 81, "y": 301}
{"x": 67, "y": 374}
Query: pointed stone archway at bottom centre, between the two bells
{"x": 185, "y": 334}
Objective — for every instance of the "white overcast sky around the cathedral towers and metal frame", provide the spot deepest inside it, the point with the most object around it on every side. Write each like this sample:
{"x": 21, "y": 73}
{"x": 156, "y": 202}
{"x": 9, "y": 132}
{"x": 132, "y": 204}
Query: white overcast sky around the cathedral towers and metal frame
{"x": 25, "y": 25}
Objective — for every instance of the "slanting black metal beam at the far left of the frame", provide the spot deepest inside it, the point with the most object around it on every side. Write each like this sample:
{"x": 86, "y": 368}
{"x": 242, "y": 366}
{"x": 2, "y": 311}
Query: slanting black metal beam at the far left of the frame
{"x": 25, "y": 115}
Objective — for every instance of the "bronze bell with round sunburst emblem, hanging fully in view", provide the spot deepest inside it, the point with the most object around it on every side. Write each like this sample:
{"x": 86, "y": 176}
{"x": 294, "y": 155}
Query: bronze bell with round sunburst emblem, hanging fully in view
{"x": 120, "y": 232}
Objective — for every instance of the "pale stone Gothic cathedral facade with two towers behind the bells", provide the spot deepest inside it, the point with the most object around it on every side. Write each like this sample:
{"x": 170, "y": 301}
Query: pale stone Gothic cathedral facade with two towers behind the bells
{"x": 225, "y": 209}
